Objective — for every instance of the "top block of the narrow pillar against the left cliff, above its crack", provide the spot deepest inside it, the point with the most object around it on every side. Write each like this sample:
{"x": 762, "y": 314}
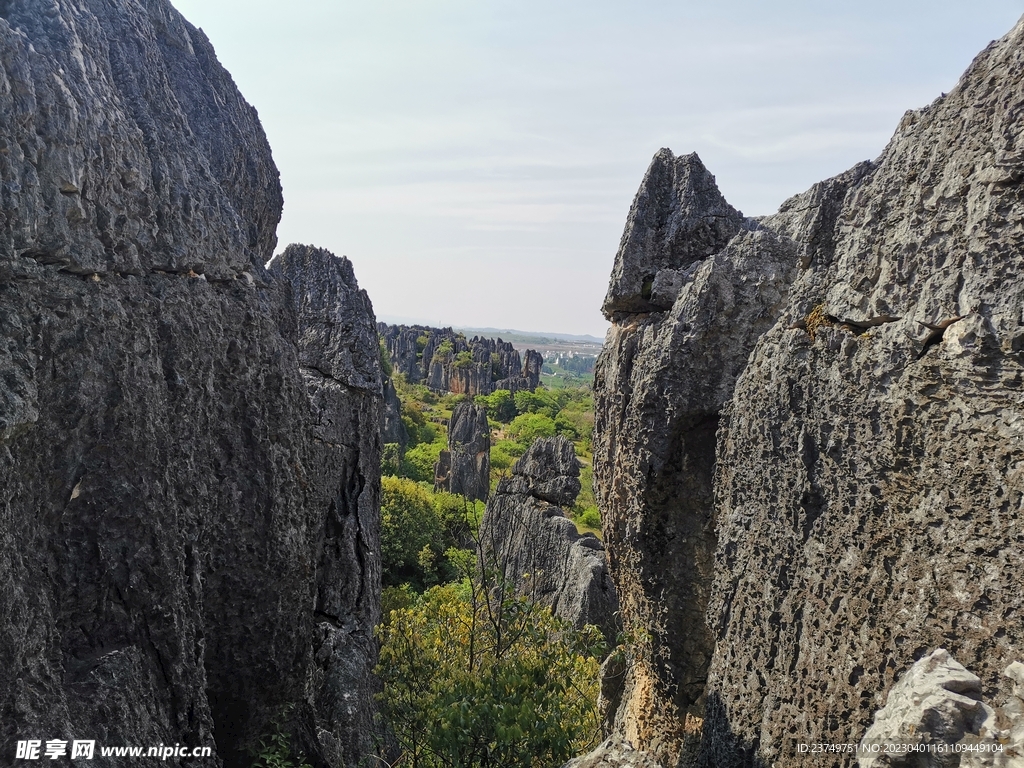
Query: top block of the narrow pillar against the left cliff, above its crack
{"x": 338, "y": 332}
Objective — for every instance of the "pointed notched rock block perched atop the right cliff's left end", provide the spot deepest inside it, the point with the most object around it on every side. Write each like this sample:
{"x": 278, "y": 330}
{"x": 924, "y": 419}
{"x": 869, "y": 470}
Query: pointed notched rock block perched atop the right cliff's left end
{"x": 678, "y": 218}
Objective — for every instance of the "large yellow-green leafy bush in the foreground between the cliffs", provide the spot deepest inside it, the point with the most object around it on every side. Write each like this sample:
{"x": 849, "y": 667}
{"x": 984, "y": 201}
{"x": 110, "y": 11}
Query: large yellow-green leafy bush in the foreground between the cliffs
{"x": 476, "y": 676}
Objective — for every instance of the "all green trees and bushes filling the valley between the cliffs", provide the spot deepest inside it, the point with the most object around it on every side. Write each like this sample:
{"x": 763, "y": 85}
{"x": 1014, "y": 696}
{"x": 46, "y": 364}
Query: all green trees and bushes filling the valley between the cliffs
{"x": 475, "y": 675}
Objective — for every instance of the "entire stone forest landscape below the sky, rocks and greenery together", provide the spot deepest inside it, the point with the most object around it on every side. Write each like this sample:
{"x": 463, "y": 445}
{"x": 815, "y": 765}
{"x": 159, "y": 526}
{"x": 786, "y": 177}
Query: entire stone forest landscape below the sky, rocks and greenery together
{"x": 781, "y": 524}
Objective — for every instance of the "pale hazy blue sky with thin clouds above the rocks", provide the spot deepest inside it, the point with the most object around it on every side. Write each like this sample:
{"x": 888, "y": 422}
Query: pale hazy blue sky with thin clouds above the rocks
{"x": 477, "y": 159}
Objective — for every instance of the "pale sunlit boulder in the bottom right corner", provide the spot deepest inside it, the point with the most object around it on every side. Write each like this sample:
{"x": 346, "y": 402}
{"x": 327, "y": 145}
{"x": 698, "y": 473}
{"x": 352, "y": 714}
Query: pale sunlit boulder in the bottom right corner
{"x": 935, "y": 717}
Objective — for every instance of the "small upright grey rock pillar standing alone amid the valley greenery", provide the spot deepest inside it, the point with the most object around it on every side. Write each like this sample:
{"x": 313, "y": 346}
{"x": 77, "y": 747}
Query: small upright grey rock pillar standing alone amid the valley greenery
{"x": 465, "y": 467}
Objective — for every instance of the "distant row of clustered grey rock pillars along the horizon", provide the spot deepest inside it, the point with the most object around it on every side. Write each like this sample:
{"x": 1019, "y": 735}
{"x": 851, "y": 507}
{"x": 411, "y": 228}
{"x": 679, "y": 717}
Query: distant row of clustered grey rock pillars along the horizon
{"x": 447, "y": 362}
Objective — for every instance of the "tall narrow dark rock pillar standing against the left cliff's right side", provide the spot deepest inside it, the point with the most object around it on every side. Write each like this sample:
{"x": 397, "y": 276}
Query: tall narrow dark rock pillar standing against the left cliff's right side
{"x": 339, "y": 358}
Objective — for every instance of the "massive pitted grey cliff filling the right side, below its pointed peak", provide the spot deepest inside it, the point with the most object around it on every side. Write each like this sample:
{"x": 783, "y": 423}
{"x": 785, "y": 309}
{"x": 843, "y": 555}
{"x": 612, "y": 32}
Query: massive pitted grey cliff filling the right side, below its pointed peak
{"x": 861, "y": 353}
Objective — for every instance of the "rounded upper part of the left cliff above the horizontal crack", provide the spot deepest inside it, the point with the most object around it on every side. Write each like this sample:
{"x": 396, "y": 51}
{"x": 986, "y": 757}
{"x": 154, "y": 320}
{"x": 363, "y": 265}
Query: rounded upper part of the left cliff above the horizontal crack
{"x": 123, "y": 159}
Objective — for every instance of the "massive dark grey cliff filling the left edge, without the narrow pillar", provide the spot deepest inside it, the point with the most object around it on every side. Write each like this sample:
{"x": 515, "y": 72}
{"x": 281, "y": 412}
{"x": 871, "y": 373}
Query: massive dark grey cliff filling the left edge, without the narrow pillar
{"x": 162, "y": 519}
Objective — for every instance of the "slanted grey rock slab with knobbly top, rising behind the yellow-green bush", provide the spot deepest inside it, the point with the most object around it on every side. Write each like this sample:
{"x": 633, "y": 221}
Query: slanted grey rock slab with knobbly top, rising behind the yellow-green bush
{"x": 526, "y": 532}
